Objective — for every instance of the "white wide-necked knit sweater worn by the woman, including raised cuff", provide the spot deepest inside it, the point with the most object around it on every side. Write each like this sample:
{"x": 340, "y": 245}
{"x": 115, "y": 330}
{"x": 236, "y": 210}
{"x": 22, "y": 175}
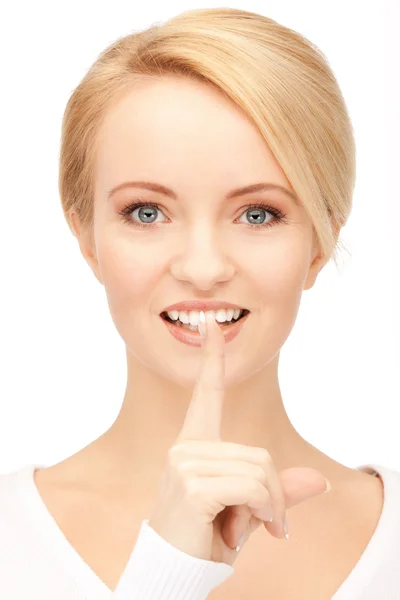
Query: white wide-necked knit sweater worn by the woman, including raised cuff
{"x": 38, "y": 563}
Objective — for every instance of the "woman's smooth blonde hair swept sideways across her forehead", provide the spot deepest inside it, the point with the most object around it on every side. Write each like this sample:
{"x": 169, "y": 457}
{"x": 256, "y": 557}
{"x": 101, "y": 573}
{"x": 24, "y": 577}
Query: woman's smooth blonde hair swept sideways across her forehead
{"x": 280, "y": 80}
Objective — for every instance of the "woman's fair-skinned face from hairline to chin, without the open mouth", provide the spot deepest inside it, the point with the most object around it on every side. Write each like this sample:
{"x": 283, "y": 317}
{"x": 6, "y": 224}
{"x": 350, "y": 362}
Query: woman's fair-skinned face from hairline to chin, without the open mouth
{"x": 199, "y": 246}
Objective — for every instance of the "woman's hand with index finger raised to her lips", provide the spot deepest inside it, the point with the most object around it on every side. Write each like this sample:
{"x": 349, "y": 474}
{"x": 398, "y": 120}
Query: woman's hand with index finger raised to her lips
{"x": 212, "y": 491}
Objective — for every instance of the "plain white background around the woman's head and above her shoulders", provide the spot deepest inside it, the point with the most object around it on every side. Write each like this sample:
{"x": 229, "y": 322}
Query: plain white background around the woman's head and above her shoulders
{"x": 63, "y": 370}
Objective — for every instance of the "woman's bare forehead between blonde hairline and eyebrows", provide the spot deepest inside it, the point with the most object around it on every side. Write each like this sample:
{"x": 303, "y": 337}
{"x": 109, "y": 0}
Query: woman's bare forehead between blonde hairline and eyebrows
{"x": 171, "y": 127}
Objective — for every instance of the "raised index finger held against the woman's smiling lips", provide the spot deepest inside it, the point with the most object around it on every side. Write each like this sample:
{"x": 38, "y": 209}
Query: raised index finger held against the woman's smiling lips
{"x": 204, "y": 414}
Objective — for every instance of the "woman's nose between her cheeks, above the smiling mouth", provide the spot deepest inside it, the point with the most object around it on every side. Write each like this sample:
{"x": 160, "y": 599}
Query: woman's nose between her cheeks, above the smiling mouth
{"x": 203, "y": 261}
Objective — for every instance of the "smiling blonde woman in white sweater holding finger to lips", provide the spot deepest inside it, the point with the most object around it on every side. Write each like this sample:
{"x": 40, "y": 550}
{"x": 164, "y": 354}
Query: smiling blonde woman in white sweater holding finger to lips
{"x": 207, "y": 166}
